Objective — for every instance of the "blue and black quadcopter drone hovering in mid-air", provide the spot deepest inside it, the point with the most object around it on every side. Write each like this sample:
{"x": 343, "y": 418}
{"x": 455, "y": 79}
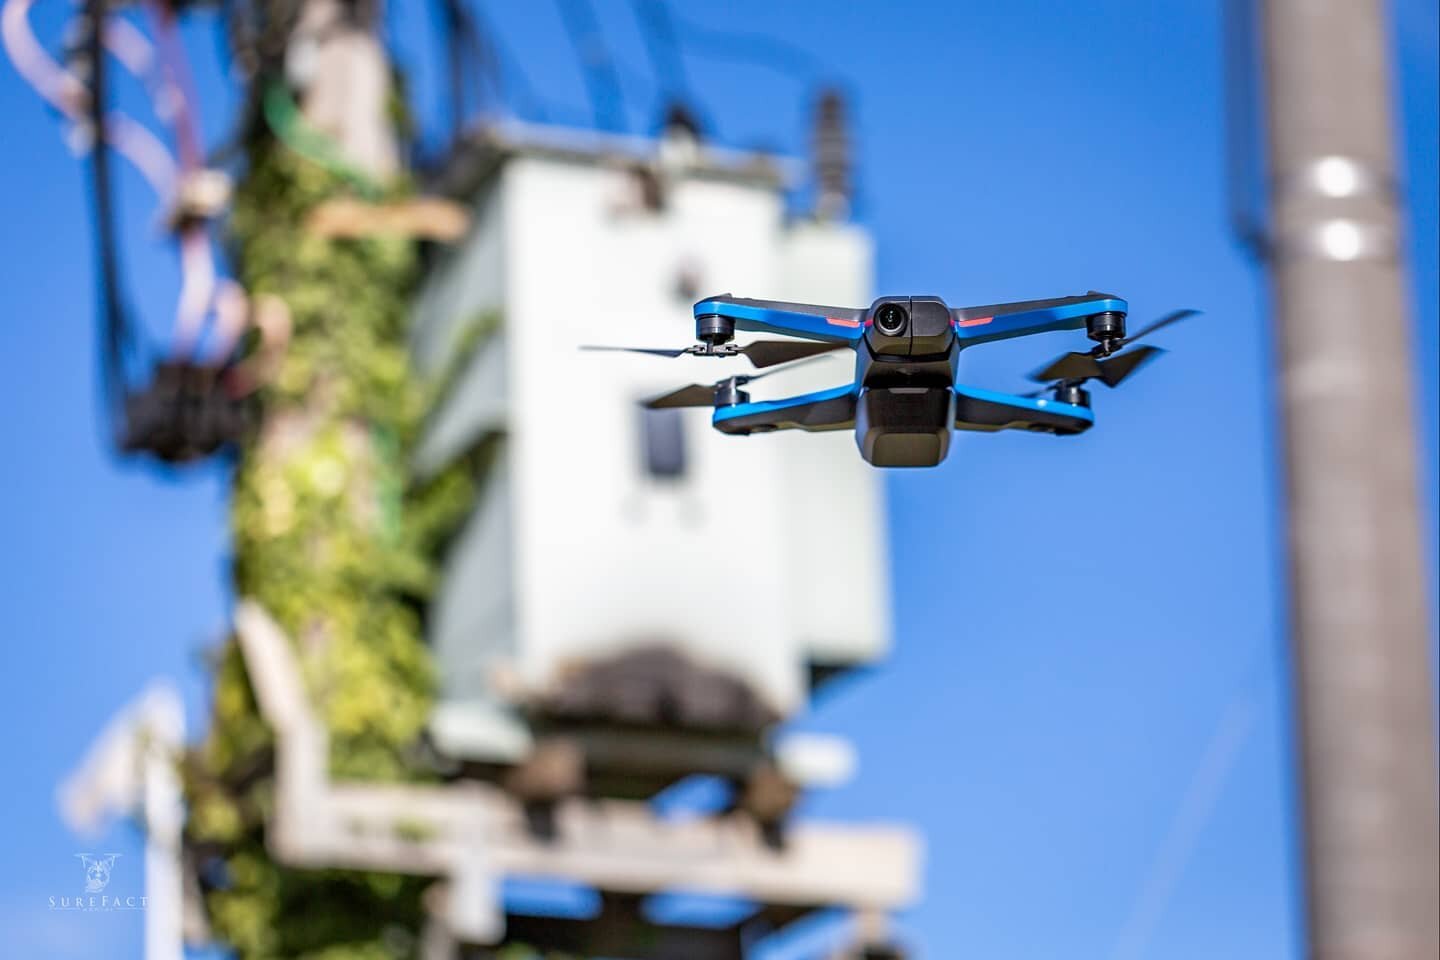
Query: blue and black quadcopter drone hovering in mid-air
{"x": 905, "y": 398}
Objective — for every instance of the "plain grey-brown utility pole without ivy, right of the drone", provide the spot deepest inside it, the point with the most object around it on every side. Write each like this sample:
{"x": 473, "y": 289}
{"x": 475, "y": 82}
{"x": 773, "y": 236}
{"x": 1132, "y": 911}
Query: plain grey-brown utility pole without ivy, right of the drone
{"x": 1359, "y": 612}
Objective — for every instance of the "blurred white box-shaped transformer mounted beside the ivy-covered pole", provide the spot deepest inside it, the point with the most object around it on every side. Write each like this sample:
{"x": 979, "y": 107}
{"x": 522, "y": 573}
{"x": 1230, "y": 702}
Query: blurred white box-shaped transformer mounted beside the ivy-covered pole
{"x": 606, "y": 532}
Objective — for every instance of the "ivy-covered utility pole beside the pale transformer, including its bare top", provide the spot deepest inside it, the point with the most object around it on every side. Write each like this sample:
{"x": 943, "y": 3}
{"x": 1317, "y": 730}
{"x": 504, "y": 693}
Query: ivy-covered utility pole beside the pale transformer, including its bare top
{"x": 326, "y": 532}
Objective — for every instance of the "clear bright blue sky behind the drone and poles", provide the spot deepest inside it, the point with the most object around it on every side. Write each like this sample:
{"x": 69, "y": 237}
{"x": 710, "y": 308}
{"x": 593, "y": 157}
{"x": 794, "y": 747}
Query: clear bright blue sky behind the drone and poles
{"x": 1095, "y": 778}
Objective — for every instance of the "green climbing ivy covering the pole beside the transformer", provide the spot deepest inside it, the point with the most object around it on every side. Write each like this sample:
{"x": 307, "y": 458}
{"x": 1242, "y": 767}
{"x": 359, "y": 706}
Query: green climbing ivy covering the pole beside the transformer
{"x": 339, "y": 545}
